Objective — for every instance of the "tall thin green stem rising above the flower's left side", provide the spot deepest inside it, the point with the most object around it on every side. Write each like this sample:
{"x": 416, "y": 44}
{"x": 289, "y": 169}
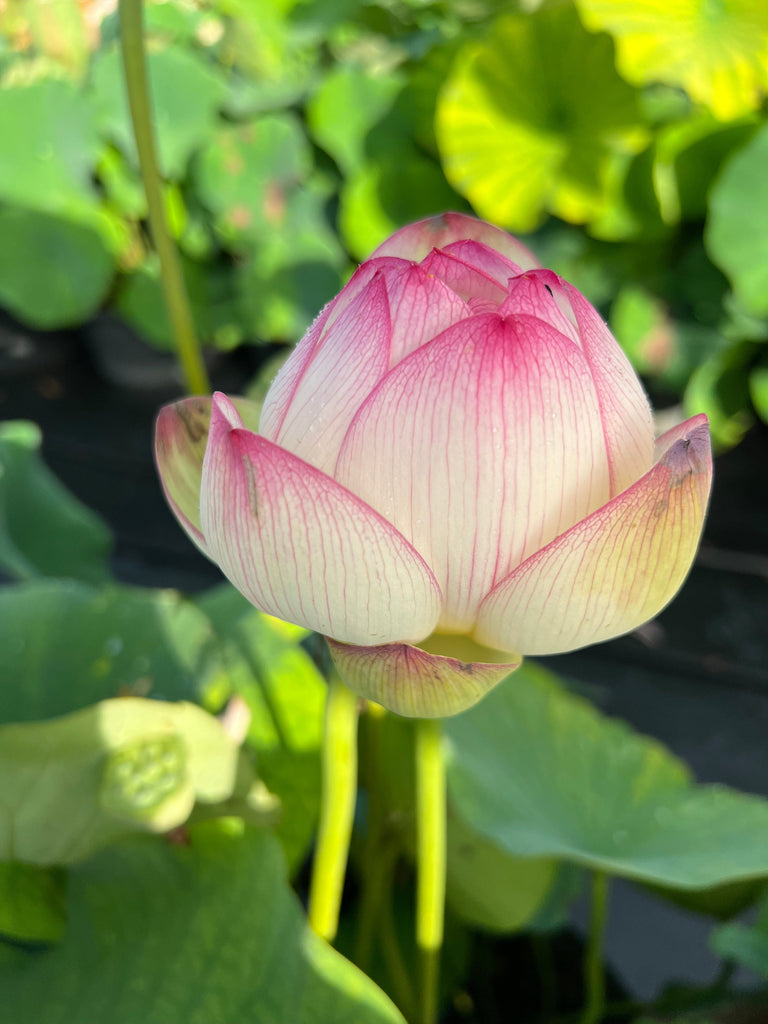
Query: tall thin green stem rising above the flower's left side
{"x": 135, "y": 66}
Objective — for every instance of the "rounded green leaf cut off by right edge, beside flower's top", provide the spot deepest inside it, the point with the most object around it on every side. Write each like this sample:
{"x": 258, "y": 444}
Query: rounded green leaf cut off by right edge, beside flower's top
{"x": 736, "y": 234}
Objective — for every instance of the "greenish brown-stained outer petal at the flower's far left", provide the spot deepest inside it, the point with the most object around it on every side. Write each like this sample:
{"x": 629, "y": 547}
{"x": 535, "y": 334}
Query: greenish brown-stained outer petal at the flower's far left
{"x": 181, "y": 439}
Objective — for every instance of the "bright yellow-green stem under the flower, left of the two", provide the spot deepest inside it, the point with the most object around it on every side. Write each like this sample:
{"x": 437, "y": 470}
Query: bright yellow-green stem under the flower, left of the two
{"x": 337, "y": 808}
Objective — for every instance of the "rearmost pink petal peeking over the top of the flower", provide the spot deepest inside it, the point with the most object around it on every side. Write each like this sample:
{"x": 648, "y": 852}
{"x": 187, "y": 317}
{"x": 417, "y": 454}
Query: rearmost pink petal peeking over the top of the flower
{"x": 415, "y": 241}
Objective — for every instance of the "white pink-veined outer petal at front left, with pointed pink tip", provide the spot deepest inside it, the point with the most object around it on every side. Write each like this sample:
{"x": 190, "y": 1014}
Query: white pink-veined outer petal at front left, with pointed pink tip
{"x": 303, "y": 548}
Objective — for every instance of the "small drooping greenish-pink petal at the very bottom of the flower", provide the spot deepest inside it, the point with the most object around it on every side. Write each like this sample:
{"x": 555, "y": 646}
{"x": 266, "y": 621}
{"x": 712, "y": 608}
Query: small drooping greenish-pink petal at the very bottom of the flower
{"x": 411, "y": 682}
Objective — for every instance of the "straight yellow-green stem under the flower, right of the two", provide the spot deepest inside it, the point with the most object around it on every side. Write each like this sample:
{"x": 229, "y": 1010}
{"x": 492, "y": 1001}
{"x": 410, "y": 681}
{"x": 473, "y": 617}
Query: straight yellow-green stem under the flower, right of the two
{"x": 431, "y": 861}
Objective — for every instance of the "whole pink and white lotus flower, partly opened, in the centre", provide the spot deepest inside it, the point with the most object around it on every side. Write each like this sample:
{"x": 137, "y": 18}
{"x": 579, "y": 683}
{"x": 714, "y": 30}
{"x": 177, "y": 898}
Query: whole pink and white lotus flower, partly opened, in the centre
{"x": 458, "y": 448}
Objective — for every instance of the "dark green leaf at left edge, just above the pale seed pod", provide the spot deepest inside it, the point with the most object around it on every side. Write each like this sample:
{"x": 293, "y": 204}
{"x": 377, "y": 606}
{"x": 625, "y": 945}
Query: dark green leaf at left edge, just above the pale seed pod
{"x": 66, "y": 646}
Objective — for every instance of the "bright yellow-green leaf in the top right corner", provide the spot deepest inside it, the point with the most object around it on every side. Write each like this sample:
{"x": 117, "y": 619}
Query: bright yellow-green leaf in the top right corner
{"x": 718, "y": 52}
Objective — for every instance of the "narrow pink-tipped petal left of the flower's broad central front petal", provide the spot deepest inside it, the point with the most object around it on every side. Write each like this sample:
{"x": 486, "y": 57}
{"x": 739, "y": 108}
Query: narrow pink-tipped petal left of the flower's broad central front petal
{"x": 350, "y": 361}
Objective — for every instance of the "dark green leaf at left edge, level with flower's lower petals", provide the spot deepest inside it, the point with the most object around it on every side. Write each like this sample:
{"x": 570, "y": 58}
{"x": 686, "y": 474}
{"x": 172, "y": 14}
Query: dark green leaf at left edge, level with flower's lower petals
{"x": 45, "y": 531}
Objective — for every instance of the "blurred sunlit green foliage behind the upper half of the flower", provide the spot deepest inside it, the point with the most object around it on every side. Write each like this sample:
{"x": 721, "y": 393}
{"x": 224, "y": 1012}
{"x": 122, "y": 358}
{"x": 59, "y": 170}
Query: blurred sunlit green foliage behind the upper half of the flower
{"x": 627, "y": 141}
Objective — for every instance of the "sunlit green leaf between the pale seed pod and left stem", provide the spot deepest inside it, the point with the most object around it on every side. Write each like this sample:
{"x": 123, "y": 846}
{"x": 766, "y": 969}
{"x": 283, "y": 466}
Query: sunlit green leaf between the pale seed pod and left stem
{"x": 261, "y": 660}
